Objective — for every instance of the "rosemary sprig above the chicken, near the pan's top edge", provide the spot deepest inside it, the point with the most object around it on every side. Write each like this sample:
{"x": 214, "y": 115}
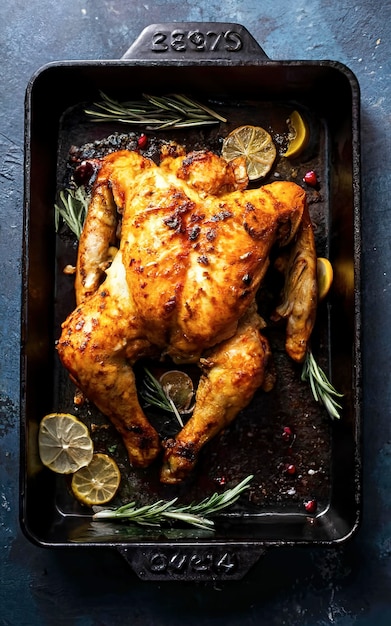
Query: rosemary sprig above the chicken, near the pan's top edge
{"x": 155, "y": 112}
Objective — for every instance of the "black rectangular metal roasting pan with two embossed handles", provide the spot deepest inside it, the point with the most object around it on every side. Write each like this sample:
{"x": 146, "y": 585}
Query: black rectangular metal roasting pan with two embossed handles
{"x": 222, "y": 65}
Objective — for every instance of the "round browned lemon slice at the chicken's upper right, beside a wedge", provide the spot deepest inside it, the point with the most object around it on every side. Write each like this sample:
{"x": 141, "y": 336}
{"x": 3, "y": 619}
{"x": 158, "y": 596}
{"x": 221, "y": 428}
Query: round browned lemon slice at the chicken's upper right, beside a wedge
{"x": 255, "y": 144}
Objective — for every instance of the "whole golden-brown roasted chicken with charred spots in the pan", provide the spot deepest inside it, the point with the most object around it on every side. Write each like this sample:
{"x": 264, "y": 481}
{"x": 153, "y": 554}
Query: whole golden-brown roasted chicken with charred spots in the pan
{"x": 169, "y": 264}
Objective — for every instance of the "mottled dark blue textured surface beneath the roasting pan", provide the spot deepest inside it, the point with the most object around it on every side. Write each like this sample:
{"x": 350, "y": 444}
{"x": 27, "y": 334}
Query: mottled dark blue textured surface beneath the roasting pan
{"x": 344, "y": 586}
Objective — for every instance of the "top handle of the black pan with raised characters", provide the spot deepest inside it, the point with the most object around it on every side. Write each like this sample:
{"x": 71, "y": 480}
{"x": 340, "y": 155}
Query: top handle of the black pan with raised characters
{"x": 196, "y": 41}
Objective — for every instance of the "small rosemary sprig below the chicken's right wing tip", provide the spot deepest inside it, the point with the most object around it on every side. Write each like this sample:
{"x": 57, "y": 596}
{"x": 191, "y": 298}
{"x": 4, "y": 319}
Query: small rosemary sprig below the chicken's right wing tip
{"x": 322, "y": 389}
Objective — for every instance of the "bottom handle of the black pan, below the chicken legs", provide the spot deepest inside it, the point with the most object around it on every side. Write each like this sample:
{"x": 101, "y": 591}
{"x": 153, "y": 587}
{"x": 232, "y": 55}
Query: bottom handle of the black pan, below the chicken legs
{"x": 191, "y": 563}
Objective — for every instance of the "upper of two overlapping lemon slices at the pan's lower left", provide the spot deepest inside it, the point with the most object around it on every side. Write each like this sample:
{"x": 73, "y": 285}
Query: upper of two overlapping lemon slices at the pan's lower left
{"x": 64, "y": 443}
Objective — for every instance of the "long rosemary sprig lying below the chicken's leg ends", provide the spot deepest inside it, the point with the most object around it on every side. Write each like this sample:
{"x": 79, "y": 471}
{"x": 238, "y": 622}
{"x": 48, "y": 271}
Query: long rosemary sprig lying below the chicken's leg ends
{"x": 194, "y": 514}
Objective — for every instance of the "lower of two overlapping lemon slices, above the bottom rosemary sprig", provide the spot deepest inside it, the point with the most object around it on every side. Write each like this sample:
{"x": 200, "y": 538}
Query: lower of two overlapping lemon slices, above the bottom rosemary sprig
{"x": 98, "y": 482}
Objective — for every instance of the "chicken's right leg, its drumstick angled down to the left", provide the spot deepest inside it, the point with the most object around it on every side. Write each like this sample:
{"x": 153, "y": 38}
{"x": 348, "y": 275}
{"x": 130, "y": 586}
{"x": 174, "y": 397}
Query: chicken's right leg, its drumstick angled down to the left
{"x": 232, "y": 372}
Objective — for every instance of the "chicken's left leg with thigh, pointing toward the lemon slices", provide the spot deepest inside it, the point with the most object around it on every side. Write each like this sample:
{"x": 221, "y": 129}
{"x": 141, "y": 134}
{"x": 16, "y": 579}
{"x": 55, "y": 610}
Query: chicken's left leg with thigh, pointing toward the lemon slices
{"x": 100, "y": 341}
